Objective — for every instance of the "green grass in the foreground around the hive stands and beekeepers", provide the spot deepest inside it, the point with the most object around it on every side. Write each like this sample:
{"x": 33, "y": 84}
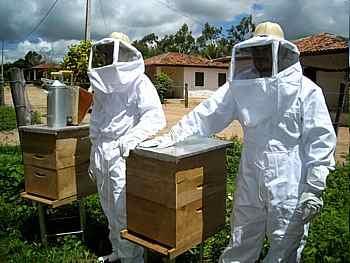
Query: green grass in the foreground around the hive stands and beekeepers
{"x": 19, "y": 229}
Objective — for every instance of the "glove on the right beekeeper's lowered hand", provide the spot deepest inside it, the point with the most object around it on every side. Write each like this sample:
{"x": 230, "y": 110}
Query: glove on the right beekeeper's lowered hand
{"x": 309, "y": 206}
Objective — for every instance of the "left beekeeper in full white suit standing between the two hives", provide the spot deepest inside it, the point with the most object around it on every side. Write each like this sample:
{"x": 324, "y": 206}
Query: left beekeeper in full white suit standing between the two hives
{"x": 126, "y": 111}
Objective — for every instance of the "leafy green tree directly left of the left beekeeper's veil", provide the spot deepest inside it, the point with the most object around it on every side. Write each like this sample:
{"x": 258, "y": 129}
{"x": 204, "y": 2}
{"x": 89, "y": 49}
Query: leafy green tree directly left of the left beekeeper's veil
{"x": 77, "y": 60}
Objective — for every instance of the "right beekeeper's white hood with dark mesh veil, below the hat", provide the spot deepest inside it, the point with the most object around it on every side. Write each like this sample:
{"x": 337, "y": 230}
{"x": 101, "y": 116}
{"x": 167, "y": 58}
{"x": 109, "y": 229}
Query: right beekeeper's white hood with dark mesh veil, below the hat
{"x": 265, "y": 76}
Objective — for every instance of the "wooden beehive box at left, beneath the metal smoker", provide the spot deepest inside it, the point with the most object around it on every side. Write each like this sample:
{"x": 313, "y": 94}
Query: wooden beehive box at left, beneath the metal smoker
{"x": 56, "y": 161}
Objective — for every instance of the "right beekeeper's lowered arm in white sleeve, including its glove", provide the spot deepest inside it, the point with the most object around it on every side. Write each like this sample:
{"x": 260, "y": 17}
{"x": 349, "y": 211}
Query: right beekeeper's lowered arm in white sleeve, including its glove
{"x": 319, "y": 141}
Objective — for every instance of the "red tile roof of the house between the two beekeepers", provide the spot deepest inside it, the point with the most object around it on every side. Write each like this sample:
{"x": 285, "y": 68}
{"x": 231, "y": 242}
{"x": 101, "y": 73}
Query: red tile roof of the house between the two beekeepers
{"x": 179, "y": 59}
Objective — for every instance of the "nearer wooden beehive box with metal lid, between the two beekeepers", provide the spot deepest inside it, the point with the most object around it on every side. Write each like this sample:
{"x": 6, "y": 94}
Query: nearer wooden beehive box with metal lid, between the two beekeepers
{"x": 175, "y": 197}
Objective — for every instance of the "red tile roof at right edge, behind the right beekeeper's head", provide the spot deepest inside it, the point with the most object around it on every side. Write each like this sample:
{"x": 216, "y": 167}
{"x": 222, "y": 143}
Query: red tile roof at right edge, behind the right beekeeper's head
{"x": 321, "y": 43}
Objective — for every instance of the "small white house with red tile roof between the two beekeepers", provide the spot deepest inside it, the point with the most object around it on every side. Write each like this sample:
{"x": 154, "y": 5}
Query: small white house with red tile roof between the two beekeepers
{"x": 200, "y": 74}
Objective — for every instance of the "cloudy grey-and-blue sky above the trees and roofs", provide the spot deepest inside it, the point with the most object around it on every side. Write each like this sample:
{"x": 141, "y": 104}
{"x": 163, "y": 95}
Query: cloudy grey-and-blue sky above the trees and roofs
{"x": 22, "y": 31}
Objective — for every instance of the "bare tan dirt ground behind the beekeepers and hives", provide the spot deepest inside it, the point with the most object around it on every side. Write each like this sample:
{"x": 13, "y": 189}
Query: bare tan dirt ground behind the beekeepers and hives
{"x": 174, "y": 110}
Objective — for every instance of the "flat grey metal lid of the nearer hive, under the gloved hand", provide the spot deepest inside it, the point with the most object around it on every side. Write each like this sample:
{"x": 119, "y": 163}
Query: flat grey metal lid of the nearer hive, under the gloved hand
{"x": 190, "y": 147}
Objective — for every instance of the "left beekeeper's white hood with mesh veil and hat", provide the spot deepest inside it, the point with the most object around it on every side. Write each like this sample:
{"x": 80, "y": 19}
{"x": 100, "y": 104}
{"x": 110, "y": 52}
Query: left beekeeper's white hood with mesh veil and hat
{"x": 114, "y": 64}
